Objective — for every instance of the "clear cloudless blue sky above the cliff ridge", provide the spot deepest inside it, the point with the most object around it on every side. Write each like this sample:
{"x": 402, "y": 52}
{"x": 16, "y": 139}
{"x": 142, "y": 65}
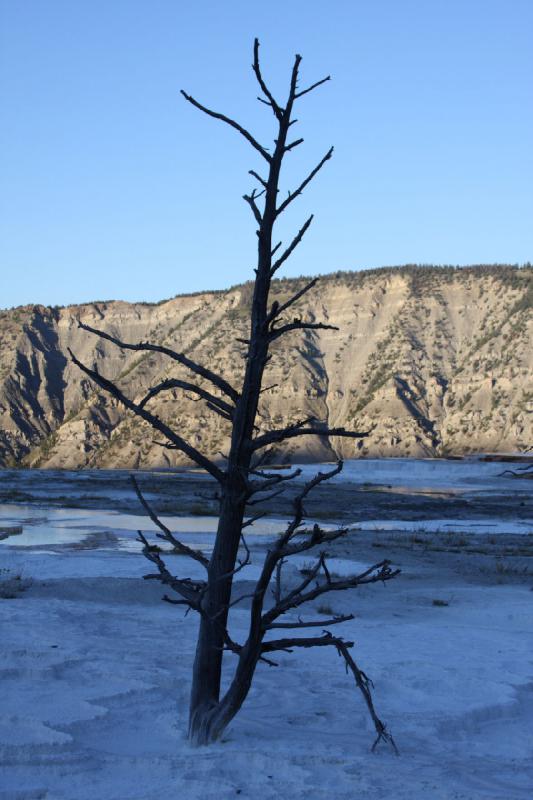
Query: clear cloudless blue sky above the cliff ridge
{"x": 113, "y": 187}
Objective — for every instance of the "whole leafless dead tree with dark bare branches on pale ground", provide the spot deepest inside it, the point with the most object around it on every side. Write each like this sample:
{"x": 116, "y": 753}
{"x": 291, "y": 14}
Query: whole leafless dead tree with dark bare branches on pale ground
{"x": 243, "y": 479}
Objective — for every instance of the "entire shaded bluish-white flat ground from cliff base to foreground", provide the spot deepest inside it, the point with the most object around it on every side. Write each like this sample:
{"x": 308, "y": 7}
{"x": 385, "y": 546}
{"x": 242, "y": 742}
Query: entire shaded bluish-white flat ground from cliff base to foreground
{"x": 95, "y": 669}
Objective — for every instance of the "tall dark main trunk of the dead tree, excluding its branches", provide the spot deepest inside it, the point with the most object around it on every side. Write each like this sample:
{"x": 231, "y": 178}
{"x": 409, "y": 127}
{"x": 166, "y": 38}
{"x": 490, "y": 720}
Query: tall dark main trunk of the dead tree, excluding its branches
{"x": 205, "y": 724}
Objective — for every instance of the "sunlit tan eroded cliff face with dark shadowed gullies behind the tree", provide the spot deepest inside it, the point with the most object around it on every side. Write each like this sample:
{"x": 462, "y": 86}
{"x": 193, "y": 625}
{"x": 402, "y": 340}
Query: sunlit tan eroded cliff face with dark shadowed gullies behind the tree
{"x": 436, "y": 361}
